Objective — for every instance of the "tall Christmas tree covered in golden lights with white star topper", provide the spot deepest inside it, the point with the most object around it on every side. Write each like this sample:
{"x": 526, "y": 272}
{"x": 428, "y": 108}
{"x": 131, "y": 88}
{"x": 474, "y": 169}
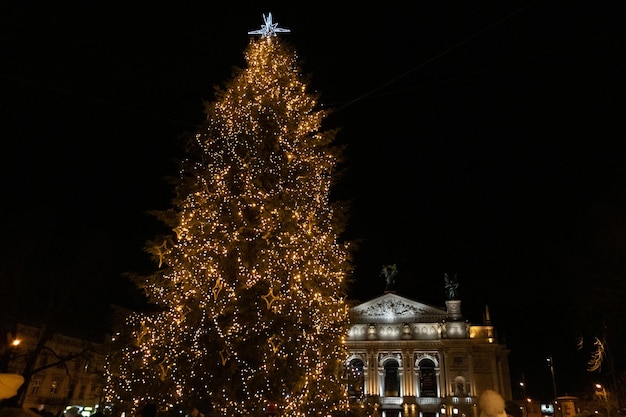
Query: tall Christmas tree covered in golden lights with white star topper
{"x": 250, "y": 293}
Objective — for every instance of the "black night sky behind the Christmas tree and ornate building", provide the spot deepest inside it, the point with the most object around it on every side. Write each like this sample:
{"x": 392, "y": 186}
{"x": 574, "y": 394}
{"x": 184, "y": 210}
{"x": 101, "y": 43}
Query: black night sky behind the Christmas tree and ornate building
{"x": 483, "y": 138}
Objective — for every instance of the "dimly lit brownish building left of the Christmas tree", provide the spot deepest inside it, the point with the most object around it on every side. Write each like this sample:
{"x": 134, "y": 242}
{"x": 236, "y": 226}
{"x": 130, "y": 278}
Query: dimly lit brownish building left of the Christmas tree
{"x": 57, "y": 383}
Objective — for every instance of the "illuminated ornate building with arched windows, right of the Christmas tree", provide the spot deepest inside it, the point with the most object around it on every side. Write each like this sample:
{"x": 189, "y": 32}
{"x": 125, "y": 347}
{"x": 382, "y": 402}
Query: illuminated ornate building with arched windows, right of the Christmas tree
{"x": 410, "y": 359}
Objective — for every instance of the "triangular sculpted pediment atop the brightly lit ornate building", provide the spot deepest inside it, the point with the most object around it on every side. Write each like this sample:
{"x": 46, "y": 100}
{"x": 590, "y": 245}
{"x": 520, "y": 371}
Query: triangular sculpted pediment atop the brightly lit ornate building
{"x": 392, "y": 308}
